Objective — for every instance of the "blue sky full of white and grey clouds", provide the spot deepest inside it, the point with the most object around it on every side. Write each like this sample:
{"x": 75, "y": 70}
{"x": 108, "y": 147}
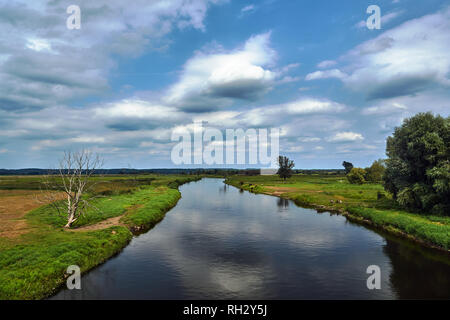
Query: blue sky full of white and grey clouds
{"x": 137, "y": 70}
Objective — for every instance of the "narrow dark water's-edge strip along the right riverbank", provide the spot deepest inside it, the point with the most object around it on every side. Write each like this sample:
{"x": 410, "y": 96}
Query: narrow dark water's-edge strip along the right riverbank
{"x": 390, "y": 229}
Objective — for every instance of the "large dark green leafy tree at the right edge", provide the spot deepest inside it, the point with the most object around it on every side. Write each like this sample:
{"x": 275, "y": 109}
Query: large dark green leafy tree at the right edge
{"x": 418, "y": 165}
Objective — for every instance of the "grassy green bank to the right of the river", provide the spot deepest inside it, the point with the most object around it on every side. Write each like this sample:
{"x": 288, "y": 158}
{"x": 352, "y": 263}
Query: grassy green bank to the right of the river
{"x": 366, "y": 204}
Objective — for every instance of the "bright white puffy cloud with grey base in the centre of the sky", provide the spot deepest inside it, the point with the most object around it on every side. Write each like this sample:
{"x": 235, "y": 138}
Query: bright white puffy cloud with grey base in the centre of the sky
{"x": 213, "y": 79}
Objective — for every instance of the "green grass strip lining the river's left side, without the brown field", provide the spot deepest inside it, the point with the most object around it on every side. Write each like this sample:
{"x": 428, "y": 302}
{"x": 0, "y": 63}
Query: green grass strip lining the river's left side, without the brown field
{"x": 35, "y": 268}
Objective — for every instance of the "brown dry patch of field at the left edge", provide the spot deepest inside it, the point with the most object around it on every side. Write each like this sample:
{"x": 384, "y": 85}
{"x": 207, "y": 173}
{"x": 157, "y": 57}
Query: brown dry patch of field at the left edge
{"x": 14, "y": 205}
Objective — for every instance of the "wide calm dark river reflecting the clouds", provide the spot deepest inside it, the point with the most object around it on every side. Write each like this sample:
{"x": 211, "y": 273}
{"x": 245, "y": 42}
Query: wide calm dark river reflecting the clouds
{"x": 223, "y": 243}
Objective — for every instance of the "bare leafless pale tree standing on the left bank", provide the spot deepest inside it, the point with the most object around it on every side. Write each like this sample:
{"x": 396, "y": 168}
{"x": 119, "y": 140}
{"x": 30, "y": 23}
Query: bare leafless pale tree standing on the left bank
{"x": 73, "y": 179}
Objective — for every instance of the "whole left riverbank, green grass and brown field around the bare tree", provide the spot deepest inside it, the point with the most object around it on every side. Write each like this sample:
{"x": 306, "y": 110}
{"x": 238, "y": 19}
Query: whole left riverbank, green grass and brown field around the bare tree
{"x": 34, "y": 257}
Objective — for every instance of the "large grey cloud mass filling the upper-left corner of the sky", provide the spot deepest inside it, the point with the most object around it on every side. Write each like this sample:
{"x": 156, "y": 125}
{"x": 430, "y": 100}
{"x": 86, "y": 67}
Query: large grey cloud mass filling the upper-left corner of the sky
{"x": 42, "y": 63}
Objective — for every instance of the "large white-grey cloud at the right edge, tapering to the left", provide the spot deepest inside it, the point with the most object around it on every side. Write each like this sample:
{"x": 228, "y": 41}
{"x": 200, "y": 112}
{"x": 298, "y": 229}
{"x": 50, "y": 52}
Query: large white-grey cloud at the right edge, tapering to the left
{"x": 408, "y": 59}
